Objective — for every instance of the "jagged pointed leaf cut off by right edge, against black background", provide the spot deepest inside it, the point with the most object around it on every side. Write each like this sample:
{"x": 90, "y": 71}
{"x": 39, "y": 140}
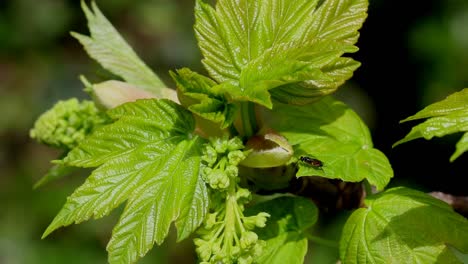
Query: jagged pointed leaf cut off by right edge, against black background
{"x": 445, "y": 117}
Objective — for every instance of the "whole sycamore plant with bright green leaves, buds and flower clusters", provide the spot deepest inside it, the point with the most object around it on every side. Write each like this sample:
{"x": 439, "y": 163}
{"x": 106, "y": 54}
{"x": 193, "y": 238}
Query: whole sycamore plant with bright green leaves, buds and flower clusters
{"x": 234, "y": 158}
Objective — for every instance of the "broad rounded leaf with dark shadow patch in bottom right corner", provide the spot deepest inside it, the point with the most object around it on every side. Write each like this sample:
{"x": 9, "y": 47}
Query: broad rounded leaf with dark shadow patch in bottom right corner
{"x": 403, "y": 226}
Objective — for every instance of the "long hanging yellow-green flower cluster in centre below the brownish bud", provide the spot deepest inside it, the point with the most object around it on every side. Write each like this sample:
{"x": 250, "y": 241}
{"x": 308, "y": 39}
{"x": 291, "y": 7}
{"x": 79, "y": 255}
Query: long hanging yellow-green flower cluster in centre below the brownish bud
{"x": 227, "y": 236}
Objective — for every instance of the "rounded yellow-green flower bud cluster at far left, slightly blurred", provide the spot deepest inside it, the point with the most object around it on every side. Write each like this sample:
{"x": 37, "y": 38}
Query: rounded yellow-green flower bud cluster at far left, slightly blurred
{"x": 67, "y": 123}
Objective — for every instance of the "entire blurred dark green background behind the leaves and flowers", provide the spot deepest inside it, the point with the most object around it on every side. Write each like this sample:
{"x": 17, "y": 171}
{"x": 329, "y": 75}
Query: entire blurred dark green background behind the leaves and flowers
{"x": 413, "y": 54}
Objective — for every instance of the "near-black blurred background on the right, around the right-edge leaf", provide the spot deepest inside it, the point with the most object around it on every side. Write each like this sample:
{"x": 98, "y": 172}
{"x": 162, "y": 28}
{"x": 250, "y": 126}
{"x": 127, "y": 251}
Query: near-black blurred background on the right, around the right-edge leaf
{"x": 399, "y": 44}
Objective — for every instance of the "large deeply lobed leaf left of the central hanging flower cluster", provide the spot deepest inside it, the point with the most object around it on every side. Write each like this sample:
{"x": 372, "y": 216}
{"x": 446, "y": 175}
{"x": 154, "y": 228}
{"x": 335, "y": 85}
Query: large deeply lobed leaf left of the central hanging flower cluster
{"x": 150, "y": 159}
